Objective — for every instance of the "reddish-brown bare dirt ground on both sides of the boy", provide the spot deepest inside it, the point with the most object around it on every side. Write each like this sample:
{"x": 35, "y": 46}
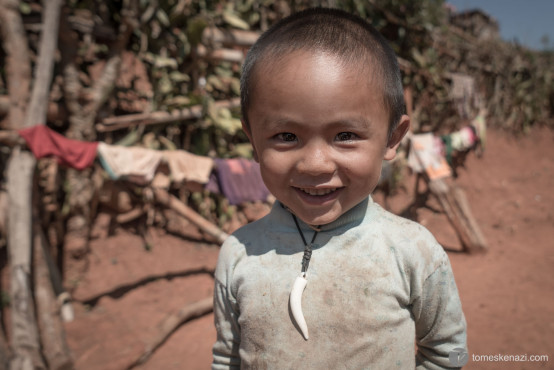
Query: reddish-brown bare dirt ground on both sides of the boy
{"x": 507, "y": 293}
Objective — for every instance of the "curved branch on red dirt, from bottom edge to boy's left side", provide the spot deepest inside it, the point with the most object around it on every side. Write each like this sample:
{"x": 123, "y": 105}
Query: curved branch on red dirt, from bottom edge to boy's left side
{"x": 171, "y": 323}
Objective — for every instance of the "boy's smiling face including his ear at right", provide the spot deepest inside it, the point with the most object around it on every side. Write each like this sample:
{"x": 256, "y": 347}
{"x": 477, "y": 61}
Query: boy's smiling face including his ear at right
{"x": 319, "y": 131}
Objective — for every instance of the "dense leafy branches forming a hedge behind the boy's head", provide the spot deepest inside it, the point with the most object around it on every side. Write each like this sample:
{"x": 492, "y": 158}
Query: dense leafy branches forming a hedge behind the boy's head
{"x": 171, "y": 65}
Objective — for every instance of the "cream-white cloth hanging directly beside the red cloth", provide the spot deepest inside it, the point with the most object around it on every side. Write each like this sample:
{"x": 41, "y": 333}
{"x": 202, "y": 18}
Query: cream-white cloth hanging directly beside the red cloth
{"x": 136, "y": 163}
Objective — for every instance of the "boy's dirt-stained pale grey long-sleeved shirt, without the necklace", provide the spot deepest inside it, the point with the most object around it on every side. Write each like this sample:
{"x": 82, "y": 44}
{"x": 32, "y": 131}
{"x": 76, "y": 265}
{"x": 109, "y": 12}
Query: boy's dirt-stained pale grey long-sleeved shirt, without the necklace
{"x": 377, "y": 285}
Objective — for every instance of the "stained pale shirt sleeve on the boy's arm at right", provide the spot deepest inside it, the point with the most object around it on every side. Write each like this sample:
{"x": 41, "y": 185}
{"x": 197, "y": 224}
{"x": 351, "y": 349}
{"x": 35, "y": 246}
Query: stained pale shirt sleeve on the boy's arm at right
{"x": 439, "y": 320}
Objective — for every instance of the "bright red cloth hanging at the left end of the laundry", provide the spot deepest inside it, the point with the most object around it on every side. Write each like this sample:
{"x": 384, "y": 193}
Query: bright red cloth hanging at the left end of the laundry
{"x": 45, "y": 142}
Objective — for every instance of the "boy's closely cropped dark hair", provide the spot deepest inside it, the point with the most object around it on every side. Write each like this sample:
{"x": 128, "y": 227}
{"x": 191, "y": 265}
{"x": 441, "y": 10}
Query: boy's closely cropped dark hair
{"x": 345, "y": 35}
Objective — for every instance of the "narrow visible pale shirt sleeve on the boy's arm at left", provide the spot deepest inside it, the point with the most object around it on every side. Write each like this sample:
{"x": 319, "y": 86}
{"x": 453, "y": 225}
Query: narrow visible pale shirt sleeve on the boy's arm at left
{"x": 226, "y": 348}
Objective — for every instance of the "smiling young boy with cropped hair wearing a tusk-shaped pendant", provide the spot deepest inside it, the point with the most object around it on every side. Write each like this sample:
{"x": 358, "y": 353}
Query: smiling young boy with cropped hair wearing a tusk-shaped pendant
{"x": 323, "y": 106}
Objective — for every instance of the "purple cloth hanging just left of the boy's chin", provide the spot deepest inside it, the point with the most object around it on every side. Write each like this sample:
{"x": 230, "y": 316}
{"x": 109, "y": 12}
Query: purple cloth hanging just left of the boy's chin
{"x": 239, "y": 180}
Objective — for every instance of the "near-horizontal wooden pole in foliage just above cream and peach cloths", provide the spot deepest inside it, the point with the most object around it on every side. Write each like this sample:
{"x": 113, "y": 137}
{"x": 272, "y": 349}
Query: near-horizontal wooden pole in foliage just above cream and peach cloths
{"x": 158, "y": 117}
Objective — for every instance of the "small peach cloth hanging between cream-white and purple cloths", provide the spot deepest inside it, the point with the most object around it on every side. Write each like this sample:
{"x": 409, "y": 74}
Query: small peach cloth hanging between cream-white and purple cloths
{"x": 187, "y": 166}
